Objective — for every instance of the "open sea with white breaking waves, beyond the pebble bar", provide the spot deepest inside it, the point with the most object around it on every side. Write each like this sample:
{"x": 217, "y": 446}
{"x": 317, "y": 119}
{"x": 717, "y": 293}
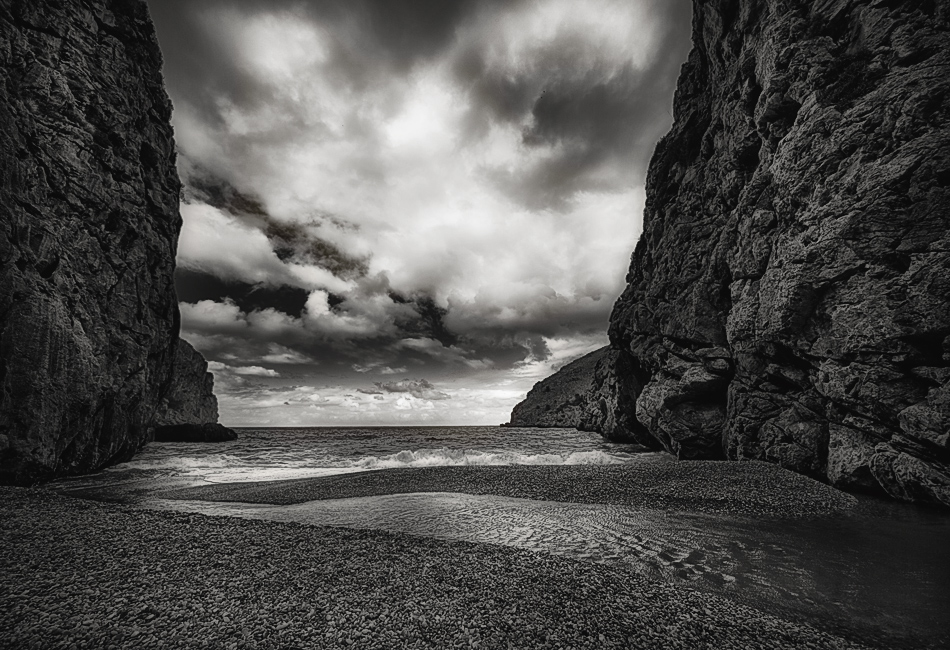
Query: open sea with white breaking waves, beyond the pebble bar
{"x": 286, "y": 453}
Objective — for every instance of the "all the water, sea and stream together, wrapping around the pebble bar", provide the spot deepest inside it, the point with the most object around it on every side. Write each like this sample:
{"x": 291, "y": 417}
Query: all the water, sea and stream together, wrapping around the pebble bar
{"x": 879, "y": 574}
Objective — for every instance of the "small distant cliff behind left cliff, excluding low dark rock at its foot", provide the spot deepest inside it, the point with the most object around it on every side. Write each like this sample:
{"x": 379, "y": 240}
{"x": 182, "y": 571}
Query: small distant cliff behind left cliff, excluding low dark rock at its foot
{"x": 190, "y": 398}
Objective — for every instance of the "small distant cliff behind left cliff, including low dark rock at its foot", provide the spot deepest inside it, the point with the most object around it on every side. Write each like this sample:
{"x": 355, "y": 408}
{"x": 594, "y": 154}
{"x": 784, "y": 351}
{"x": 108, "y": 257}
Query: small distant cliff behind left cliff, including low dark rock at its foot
{"x": 189, "y": 410}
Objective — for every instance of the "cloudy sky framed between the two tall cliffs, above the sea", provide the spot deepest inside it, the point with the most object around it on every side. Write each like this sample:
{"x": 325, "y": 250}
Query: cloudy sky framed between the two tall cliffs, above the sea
{"x": 403, "y": 212}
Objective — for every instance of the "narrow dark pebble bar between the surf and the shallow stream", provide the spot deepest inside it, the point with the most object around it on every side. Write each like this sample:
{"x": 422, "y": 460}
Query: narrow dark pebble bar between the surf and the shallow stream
{"x": 749, "y": 488}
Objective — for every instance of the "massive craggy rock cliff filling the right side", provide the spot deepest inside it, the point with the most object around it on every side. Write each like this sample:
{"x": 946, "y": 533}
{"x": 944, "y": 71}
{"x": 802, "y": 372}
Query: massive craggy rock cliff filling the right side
{"x": 789, "y": 299}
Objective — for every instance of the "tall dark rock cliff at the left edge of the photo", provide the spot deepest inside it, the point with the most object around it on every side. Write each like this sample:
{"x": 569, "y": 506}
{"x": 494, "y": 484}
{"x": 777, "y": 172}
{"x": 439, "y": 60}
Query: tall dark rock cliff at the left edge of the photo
{"x": 89, "y": 190}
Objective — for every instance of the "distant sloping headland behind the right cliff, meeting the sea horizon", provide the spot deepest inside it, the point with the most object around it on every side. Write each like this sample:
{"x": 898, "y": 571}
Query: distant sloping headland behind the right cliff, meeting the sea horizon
{"x": 559, "y": 400}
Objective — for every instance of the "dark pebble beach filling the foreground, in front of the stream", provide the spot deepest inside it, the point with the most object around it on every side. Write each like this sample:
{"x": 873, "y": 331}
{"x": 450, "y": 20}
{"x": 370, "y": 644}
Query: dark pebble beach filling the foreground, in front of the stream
{"x": 83, "y": 574}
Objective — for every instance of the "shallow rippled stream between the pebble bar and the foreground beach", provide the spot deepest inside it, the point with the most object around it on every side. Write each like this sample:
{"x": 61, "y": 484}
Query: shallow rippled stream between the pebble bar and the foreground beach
{"x": 880, "y": 574}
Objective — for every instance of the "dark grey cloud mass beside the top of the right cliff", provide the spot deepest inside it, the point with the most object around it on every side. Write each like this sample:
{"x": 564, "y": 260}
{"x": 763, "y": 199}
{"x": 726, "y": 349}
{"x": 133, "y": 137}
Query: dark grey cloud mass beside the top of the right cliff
{"x": 579, "y": 97}
